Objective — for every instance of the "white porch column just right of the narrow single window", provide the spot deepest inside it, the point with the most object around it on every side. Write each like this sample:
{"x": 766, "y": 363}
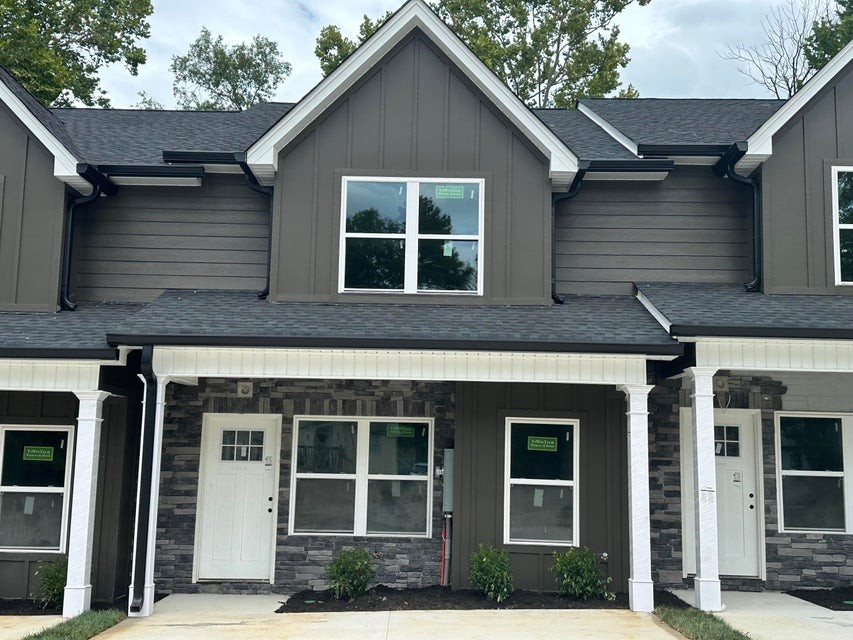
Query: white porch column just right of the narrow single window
{"x": 640, "y": 587}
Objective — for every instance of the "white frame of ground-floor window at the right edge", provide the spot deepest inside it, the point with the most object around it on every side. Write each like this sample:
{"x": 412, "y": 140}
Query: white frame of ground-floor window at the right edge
{"x": 846, "y": 473}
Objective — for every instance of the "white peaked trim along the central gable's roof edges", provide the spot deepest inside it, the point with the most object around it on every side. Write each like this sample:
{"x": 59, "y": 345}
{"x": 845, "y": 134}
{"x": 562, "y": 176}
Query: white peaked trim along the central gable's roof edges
{"x": 262, "y": 156}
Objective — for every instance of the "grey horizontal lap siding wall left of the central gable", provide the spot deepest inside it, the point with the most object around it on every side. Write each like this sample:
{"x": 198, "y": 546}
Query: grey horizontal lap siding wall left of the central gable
{"x": 145, "y": 239}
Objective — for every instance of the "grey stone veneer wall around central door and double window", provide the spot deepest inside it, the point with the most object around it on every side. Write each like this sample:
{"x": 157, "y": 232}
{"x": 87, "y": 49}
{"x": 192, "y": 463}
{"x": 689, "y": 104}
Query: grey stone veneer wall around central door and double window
{"x": 300, "y": 560}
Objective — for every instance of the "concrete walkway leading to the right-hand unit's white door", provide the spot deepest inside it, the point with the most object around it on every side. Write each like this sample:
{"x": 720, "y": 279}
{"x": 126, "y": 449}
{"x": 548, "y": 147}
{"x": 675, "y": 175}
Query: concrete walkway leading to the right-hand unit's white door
{"x": 771, "y": 615}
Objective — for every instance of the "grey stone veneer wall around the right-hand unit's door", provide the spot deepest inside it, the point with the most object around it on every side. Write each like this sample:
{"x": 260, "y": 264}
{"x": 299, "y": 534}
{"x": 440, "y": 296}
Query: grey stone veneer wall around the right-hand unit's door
{"x": 793, "y": 559}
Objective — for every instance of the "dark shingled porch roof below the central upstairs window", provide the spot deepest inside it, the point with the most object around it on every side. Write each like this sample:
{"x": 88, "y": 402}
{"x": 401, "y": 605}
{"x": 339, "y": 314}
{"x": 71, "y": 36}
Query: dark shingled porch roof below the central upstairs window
{"x": 590, "y": 323}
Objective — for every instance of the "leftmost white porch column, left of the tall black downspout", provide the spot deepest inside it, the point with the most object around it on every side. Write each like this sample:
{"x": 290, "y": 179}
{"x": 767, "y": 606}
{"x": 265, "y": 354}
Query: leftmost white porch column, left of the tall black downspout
{"x": 78, "y": 587}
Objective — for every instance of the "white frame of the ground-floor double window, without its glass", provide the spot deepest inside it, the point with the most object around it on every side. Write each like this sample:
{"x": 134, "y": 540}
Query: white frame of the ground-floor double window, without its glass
{"x": 361, "y": 475}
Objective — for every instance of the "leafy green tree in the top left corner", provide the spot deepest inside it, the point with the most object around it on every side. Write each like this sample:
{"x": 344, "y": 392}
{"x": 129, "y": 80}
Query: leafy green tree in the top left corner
{"x": 55, "y": 48}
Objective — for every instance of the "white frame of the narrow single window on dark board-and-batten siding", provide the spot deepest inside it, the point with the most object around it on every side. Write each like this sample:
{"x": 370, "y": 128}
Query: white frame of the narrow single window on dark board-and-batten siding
{"x": 573, "y": 483}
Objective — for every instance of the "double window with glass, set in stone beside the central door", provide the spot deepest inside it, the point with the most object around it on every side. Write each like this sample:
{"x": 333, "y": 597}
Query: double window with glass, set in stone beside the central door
{"x": 361, "y": 476}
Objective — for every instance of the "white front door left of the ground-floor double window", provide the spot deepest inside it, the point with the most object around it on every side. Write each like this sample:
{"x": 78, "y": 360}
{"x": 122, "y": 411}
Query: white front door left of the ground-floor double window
{"x": 238, "y": 485}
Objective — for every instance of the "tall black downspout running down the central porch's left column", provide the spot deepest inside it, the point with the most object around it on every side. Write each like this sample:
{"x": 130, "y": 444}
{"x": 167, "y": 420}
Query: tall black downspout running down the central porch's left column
{"x": 146, "y": 465}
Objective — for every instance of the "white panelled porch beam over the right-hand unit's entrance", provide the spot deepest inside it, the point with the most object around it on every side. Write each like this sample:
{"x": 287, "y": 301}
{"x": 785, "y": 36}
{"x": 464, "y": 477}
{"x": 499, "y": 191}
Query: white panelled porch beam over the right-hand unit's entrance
{"x": 760, "y": 354}
